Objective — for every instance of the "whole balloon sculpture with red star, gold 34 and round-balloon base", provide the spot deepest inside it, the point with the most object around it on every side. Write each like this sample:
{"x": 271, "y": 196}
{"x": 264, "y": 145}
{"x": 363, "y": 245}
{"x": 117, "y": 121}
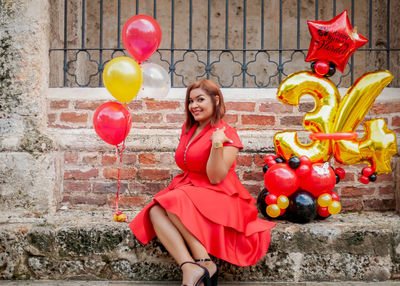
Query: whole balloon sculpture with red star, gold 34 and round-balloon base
{"x": 298, "y": 184}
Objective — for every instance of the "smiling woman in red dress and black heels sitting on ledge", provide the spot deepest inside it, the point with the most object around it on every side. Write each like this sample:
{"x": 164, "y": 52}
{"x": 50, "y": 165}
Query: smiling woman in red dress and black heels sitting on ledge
{"x": 205, "y": 210}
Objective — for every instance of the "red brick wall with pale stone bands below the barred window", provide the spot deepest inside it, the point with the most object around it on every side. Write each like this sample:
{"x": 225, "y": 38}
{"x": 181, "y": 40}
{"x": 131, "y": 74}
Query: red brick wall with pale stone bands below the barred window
{"x": 90, "y": 166}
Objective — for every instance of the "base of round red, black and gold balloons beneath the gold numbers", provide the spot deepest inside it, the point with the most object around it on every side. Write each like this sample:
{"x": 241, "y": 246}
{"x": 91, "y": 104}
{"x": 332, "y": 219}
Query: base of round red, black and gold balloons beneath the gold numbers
{"x": 299, "y": 189}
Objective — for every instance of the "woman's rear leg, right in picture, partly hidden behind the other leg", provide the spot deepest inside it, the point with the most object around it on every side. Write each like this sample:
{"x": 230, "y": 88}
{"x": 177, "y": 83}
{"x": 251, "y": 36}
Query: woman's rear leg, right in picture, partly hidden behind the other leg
{"x": 197, "y": 249}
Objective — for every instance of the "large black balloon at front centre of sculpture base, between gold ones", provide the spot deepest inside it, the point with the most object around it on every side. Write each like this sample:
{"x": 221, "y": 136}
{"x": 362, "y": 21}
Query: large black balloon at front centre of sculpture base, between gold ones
{"x": 302, "y": 207}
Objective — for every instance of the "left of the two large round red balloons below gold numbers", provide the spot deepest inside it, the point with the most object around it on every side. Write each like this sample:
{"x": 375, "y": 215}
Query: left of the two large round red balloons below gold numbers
{"x": 280, "y": 179}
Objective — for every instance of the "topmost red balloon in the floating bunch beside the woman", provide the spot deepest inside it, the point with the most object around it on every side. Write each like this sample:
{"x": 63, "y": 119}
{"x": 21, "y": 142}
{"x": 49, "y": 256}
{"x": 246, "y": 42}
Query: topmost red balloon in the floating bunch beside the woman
{"x": 141, "y": 37}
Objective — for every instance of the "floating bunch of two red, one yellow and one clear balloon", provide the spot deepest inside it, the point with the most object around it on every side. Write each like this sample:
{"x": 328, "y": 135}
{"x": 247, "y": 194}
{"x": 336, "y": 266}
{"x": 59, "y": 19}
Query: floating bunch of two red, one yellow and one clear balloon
{"x": 124, "y": 77}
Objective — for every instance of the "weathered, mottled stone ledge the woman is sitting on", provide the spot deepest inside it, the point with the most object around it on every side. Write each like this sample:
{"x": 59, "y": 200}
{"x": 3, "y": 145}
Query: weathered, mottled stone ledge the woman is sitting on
{"x": 90, "y": 246}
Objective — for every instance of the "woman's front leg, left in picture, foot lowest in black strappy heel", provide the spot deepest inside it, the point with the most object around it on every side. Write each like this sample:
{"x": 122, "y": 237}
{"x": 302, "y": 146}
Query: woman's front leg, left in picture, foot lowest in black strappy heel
{"x": 173, "y": 241}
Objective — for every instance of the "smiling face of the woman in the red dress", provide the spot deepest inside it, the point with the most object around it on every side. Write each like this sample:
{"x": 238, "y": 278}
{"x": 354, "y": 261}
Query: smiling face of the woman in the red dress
{"x": 201, "y": 105}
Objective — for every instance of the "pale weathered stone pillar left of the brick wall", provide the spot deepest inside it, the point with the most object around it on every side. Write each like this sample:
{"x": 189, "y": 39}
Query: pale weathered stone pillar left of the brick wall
{"x": 28, "y": 174}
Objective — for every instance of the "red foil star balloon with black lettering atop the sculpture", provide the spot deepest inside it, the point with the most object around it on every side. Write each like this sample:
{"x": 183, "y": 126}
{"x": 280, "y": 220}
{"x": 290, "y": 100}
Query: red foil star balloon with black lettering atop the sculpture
{"x": 334, "y": 40}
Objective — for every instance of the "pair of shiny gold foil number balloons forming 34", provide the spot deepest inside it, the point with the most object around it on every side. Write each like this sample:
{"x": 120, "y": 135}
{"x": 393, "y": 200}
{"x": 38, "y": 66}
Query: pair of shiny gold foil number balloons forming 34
{"x": 334, "y": 115}
